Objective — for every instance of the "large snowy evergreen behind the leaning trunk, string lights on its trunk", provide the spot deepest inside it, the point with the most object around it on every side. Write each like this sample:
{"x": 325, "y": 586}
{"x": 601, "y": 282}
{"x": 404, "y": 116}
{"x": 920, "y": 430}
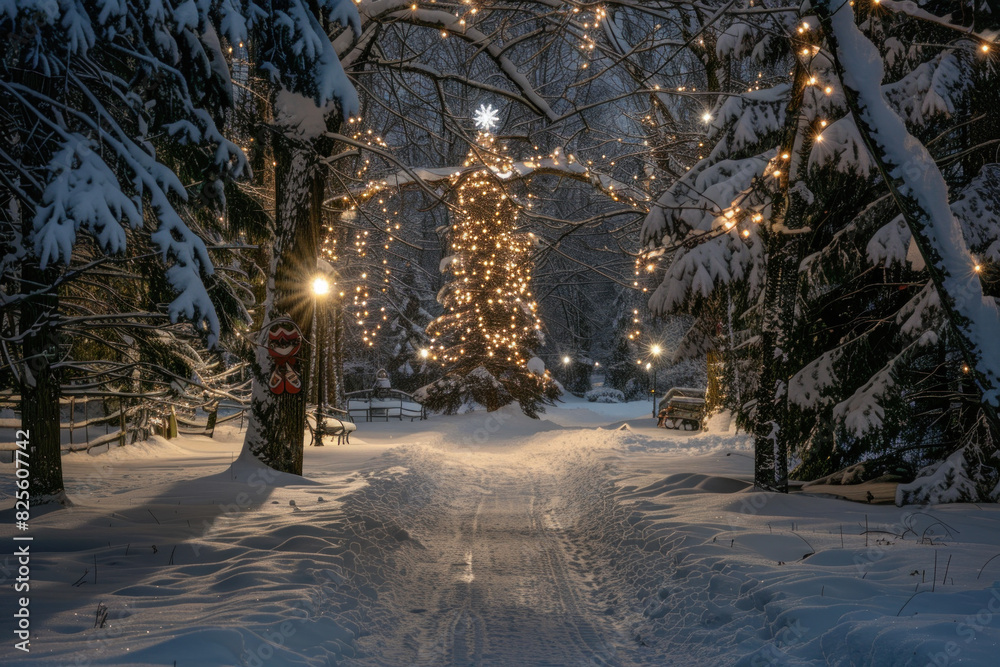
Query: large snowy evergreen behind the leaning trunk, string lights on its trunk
{"x": 788, "y": 202}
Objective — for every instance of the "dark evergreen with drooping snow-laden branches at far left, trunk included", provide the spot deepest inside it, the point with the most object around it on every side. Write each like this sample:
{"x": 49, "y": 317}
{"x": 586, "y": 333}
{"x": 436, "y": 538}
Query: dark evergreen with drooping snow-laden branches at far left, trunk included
{"x": 88, "y": 94}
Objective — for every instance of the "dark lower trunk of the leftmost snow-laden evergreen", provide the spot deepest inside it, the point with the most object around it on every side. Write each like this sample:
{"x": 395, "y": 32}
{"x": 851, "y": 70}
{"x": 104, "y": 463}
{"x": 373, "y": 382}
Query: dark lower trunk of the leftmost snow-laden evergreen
{"x": 40, "y": 384}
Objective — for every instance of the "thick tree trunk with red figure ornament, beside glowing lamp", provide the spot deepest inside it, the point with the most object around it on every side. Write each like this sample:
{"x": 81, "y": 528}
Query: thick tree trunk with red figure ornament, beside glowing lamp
{"x": 277, "y": 421}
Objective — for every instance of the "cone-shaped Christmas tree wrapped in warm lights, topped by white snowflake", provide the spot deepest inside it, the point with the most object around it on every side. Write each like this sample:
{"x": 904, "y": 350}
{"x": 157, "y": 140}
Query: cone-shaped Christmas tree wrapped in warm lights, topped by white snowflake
{"x": 489, "y": 331}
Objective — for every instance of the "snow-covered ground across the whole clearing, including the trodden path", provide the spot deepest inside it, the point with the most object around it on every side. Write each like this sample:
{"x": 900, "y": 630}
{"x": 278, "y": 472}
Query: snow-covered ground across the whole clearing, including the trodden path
{"x": 493, "y": 540}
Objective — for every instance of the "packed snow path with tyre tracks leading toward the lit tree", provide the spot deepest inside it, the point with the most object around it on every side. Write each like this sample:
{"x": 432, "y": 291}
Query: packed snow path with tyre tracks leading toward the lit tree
{"x": 494, "y": 579}
